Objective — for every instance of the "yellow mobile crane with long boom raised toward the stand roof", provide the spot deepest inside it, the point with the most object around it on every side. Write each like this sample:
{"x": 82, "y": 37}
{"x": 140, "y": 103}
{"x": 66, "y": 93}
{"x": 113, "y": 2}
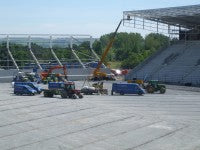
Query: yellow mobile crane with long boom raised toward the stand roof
{"x": 97, "y": 74}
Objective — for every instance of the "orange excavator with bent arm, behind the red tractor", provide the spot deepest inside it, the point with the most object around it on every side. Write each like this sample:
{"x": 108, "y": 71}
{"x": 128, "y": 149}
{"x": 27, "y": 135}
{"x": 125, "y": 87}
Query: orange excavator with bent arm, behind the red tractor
{"x": 46, "y": 73}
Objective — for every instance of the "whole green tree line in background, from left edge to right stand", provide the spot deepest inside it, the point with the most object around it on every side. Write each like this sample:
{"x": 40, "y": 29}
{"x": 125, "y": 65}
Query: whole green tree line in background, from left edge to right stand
{"x": 129, "y": 49}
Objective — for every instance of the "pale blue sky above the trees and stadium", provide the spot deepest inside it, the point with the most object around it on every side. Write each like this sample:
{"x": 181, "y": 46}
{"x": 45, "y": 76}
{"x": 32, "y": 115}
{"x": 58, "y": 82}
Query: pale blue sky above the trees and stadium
{"x": 95, "y": 17}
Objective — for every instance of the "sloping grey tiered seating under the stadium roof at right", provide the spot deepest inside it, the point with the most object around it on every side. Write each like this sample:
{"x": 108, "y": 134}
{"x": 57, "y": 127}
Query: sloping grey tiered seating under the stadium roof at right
{"x": 178, "y": 63}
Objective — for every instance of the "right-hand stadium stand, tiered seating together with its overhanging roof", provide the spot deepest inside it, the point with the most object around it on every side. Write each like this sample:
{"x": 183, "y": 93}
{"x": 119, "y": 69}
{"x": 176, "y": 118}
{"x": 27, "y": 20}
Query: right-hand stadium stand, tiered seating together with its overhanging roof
{"x": 179, "y": 63}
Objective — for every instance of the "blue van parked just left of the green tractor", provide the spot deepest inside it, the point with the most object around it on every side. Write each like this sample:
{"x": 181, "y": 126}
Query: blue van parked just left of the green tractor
{"x": 127, "y": 88}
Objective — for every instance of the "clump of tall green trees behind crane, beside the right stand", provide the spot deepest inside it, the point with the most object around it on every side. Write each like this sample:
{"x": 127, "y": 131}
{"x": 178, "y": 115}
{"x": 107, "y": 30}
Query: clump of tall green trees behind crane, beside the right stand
{"x": 130, "y": 48}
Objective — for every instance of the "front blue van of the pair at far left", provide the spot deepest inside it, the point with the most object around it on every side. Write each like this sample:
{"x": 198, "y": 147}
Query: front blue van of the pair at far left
{"x": 23, "y": 90}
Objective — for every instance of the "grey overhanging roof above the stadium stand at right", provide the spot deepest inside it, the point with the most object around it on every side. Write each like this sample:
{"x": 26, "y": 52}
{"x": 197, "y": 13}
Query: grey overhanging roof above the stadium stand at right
{"x": 186, "y": 16}
